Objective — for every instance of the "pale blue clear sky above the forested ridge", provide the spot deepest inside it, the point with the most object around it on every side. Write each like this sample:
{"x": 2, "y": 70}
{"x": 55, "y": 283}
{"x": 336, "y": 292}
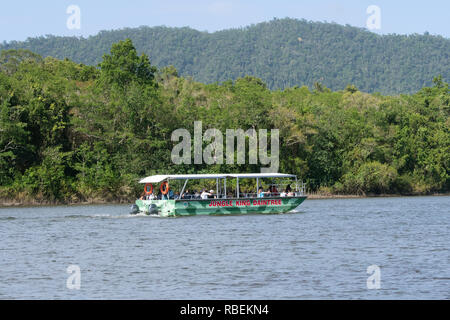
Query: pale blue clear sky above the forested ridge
{"x": 21, "y": 19}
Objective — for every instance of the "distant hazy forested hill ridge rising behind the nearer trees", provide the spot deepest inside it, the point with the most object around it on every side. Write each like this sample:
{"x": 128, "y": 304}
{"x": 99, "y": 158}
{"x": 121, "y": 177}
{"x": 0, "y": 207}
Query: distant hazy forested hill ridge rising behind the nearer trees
{"x": 282, "y": 52}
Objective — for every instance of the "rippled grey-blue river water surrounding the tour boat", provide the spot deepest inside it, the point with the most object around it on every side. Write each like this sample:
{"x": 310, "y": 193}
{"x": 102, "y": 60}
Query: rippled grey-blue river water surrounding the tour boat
{"x": 322, "y": 251}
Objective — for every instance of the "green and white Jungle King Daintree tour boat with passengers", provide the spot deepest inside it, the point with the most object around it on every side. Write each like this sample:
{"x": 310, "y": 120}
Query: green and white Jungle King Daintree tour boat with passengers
{"x": 219, "y": 201}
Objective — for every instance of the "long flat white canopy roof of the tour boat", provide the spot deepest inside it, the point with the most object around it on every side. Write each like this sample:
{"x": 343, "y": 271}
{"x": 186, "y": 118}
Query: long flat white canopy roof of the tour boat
{"x": 159, "y": 178}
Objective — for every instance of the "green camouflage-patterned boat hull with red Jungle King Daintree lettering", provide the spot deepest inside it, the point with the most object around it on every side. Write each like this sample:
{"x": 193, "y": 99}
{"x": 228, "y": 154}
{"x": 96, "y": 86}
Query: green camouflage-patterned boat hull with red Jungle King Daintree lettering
{"x": 172, "y": 208}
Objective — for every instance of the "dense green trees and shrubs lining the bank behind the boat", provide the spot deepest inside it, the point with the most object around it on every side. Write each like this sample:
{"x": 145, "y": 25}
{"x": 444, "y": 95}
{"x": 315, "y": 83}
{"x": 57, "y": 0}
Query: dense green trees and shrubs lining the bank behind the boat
{"x": 71, "y": 132}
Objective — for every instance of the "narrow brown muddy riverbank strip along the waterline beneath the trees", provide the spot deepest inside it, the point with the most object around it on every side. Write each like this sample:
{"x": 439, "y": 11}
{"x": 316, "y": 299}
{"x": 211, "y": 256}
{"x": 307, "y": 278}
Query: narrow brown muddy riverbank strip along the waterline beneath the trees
{"x": 8, "y": 203}
